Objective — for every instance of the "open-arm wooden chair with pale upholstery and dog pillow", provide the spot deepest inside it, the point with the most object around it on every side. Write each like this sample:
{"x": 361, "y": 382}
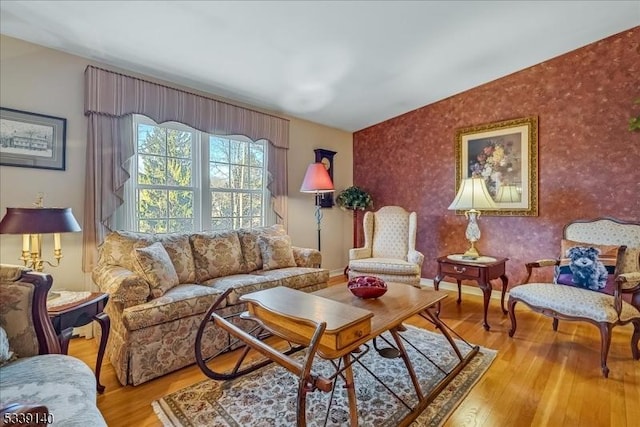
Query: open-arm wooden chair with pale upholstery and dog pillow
{"x": 604, "y": 290}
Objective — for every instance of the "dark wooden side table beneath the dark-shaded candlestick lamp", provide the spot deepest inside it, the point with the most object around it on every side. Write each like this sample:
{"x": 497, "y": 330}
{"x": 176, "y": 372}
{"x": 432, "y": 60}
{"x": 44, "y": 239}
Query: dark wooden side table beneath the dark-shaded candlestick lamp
{"x": 74, "y": 309}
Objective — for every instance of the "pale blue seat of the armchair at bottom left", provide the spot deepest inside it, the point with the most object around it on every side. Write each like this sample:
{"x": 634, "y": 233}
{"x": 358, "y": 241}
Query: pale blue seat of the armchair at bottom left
{"x": 64, "y": 384}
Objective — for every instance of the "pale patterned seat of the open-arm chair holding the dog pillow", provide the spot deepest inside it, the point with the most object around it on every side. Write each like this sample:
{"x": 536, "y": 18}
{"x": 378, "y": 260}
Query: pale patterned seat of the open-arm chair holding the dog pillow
{"x": 575, "y": 302}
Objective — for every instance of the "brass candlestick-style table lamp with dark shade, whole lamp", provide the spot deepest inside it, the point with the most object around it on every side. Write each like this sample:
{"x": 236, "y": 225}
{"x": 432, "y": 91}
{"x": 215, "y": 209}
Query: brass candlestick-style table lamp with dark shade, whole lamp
{"x": 32, "y": 223}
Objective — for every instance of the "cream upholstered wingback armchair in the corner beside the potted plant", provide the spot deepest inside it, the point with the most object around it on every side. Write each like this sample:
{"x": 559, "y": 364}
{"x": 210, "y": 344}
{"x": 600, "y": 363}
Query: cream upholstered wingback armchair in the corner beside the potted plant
{"x": 389, "y": 247}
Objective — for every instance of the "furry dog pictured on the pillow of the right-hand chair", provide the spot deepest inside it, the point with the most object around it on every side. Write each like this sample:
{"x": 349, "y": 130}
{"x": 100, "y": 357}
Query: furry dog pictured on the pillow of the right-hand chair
{"x": 588, "y": 272}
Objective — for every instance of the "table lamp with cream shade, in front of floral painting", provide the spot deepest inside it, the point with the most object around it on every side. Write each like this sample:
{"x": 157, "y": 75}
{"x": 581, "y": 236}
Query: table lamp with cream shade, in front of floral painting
{"x": 471, "y": 197}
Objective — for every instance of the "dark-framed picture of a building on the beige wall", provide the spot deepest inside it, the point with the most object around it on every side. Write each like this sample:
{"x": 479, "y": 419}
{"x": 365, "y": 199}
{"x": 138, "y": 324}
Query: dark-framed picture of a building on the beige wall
{"x": 32, "y": 140}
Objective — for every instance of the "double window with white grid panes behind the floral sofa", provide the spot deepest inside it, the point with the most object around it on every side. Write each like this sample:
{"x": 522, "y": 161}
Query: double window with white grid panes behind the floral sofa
{"x": 185, "y": 180}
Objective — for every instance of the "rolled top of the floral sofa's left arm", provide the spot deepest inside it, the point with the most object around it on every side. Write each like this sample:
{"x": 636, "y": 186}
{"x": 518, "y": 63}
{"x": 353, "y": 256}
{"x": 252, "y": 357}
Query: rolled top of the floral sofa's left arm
{"x": 122, "y": 285}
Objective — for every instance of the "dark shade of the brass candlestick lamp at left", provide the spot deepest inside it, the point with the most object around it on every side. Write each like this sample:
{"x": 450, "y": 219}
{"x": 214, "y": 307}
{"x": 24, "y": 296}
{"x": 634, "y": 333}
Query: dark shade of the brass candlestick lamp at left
{"x": 38, "y": 221}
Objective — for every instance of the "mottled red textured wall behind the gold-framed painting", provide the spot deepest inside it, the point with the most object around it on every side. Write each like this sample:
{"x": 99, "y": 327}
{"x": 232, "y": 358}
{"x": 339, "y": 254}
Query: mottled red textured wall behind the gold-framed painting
{"x": 589, "y": 163}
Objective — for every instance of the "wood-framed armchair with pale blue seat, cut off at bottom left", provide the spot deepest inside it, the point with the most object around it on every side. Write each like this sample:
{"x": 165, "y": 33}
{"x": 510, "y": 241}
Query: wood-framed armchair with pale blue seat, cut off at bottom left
{"x": 37, "y": 382}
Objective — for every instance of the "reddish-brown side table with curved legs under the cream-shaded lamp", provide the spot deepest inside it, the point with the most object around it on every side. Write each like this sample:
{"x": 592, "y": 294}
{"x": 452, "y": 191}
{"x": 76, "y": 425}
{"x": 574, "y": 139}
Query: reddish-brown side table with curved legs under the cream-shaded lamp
{"x": 481, "y": 272}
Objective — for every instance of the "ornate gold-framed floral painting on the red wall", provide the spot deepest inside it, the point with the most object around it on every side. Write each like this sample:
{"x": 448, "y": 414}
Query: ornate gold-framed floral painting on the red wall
{"x": 505, "y": 154}
